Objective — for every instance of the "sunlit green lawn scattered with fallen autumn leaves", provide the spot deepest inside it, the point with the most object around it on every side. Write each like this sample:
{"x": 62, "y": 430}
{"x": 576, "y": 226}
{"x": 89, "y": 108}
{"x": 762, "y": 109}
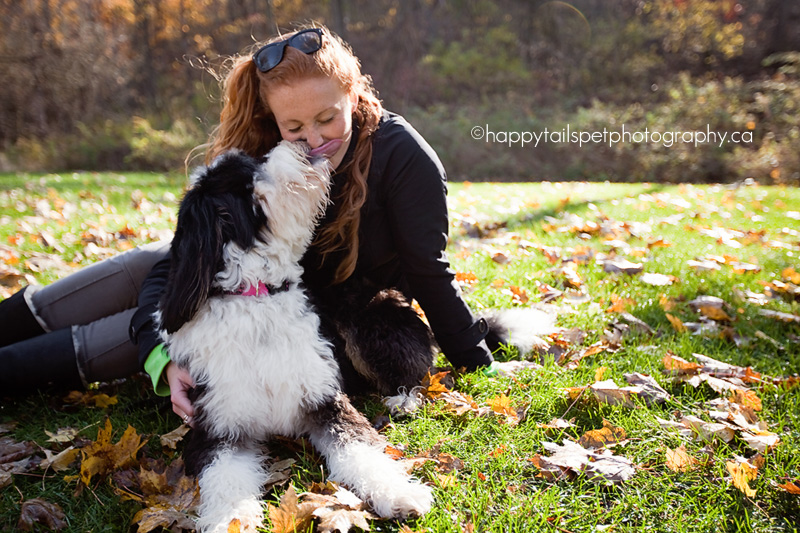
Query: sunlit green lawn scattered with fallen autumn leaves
{"x": 497, "y": 487}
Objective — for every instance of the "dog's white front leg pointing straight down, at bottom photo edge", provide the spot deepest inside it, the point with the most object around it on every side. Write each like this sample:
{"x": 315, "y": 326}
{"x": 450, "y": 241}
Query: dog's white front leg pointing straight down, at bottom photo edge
{"x": 230, "y": 488}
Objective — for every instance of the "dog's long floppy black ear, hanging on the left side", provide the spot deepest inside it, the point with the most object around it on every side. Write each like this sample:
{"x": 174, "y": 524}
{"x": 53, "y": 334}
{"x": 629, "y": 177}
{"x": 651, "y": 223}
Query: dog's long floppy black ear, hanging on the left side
{"x": 196, "y": 250}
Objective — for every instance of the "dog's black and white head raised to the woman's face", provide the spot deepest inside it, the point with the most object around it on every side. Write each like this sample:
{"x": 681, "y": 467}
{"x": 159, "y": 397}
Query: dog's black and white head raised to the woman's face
{"x": 234, "y": 204}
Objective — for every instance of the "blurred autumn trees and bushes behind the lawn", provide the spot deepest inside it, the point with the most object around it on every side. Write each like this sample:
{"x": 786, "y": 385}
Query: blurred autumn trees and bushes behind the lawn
{"x": 132, "y": 83}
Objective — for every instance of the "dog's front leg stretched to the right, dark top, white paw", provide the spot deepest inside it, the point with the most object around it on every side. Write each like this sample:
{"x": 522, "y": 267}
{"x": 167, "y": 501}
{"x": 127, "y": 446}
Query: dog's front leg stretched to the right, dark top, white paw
{"x": 354, "y": 452}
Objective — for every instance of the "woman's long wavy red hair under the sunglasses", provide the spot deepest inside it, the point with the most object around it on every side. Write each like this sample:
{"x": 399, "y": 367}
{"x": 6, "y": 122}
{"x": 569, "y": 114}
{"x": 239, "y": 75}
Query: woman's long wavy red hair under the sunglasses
{"x": 247, "y": 123}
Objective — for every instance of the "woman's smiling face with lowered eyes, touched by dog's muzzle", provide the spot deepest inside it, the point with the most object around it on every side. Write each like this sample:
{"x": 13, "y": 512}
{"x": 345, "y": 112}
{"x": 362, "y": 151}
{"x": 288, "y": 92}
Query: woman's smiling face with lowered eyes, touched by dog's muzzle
{"x": 318, "y": 111}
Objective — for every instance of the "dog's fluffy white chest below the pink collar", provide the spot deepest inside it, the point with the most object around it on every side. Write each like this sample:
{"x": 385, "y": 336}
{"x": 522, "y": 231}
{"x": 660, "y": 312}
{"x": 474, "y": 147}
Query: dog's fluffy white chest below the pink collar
{"x": 262, "y": 360}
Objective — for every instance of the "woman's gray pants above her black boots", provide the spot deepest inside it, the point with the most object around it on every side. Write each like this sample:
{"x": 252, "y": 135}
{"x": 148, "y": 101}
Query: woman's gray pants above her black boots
{"x": 97, "y": 302}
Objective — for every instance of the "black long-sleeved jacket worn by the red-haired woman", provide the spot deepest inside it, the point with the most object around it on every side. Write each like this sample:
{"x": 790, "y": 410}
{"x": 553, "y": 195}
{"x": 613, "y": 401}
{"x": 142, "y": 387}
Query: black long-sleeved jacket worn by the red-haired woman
{"x": 402, "y": 238}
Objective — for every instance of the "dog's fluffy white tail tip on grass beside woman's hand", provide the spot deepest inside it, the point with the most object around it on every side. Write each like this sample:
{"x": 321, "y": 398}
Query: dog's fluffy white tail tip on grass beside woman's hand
{"x": 522, "y": 328}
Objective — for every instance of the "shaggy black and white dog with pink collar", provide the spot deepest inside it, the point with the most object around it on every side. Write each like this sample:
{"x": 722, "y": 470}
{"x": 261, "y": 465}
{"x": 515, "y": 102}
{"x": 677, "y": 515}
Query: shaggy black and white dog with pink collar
{"x": 236, "y": 317}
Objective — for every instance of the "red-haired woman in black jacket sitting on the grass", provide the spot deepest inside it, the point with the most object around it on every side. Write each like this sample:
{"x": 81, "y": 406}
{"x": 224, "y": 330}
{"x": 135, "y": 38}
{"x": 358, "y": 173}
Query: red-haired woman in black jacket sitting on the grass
{"x": 387, "y": 226}
